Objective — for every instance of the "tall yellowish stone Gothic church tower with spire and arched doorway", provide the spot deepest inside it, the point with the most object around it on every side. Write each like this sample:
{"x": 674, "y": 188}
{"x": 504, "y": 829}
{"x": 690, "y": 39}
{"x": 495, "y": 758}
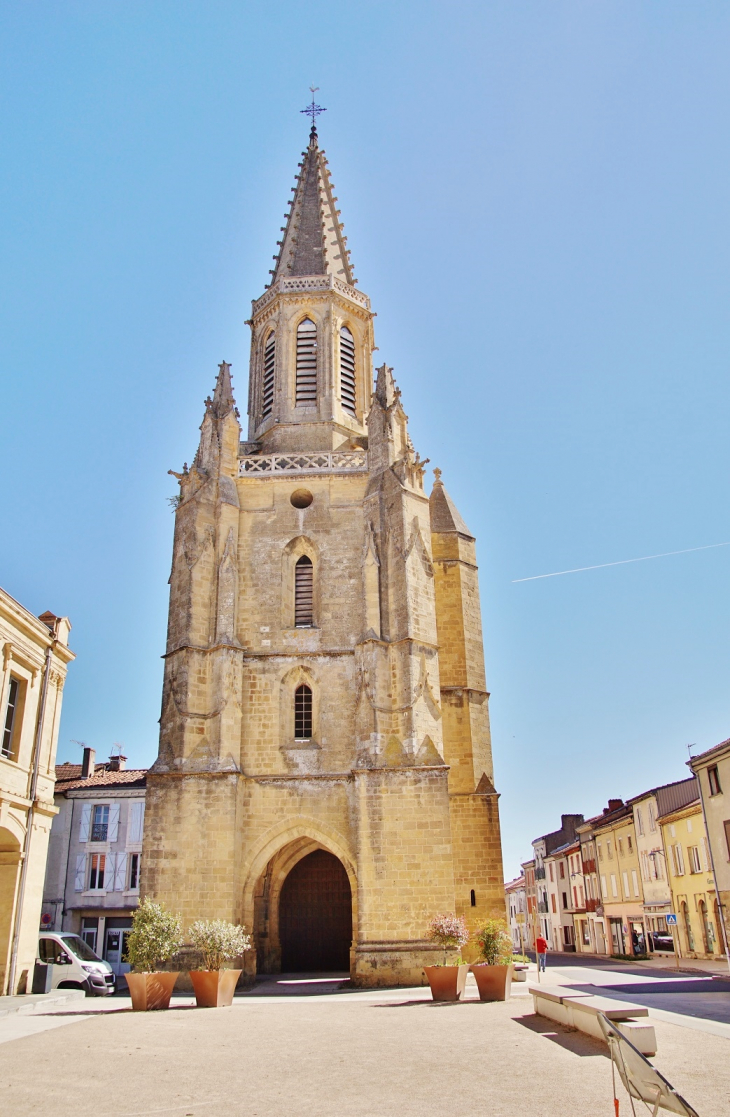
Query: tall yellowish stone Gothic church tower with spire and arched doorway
{"x": 325, "y": 770}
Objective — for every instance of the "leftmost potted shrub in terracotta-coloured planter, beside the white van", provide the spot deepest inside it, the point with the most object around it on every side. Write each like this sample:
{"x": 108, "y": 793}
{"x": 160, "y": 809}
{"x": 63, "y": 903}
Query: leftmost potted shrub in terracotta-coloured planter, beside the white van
{"x": 156, "y": 937}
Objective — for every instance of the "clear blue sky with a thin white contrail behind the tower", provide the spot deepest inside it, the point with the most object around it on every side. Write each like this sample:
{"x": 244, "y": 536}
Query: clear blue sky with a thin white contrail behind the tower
{"x": 536, "y": 197}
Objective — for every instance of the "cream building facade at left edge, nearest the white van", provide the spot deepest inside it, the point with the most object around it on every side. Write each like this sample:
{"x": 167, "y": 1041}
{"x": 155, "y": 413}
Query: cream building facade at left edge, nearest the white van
{"x": 35, "y": 661}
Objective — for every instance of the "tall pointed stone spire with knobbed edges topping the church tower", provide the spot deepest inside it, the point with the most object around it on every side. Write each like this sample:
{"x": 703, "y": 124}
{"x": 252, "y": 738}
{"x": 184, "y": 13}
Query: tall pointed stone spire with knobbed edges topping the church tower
{"x": 314, "y": 243}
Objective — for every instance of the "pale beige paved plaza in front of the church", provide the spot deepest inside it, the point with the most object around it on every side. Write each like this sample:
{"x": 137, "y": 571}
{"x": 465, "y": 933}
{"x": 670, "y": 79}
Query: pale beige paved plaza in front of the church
{"x": 295, "y": 1051}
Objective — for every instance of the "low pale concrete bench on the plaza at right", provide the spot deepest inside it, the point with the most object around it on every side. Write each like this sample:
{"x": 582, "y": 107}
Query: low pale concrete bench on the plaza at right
{"x": 579, "y": 1010}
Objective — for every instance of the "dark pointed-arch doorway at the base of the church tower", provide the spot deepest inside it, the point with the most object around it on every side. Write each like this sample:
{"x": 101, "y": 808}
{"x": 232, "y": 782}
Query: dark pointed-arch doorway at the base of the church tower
{"x": 316, "y": 915}
